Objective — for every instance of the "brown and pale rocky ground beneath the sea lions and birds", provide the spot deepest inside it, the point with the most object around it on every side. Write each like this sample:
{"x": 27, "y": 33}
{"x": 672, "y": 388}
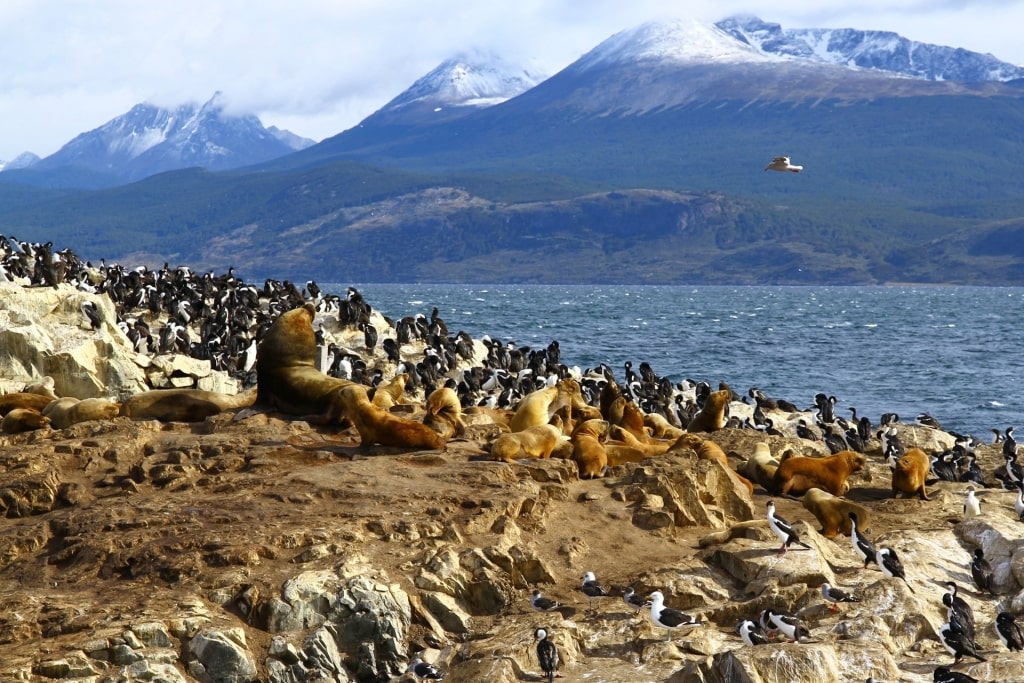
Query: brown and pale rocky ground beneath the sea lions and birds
{"x": 255, "y": 546}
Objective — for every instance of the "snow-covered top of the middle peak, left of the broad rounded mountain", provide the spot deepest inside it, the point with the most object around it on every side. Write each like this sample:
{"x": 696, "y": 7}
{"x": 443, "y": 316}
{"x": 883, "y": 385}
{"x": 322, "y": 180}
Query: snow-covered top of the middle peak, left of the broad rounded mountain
{"x": 466, "y": 82}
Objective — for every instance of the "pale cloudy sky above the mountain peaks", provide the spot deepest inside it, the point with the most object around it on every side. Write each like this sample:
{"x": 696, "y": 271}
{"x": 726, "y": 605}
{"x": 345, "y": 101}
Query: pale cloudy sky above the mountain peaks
{"x": 319, "y": 67}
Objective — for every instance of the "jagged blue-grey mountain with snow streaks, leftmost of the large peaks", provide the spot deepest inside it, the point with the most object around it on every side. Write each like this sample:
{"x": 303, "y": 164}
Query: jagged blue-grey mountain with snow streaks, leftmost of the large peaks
{"x": 151, "y": 140}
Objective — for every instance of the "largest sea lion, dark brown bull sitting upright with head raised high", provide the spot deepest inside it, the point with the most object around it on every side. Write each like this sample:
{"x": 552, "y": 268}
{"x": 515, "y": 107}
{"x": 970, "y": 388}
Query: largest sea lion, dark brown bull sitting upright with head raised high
{"x": 287, "y": 378}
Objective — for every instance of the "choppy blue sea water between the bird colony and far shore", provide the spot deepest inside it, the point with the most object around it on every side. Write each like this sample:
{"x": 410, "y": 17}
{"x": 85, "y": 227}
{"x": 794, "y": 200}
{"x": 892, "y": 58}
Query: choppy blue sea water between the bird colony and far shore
{"x": 955, "y": 353}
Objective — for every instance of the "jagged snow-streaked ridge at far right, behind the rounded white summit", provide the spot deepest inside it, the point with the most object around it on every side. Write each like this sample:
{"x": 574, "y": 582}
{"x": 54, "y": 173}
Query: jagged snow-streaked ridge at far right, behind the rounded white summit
{"x": 881, "y": 51}
